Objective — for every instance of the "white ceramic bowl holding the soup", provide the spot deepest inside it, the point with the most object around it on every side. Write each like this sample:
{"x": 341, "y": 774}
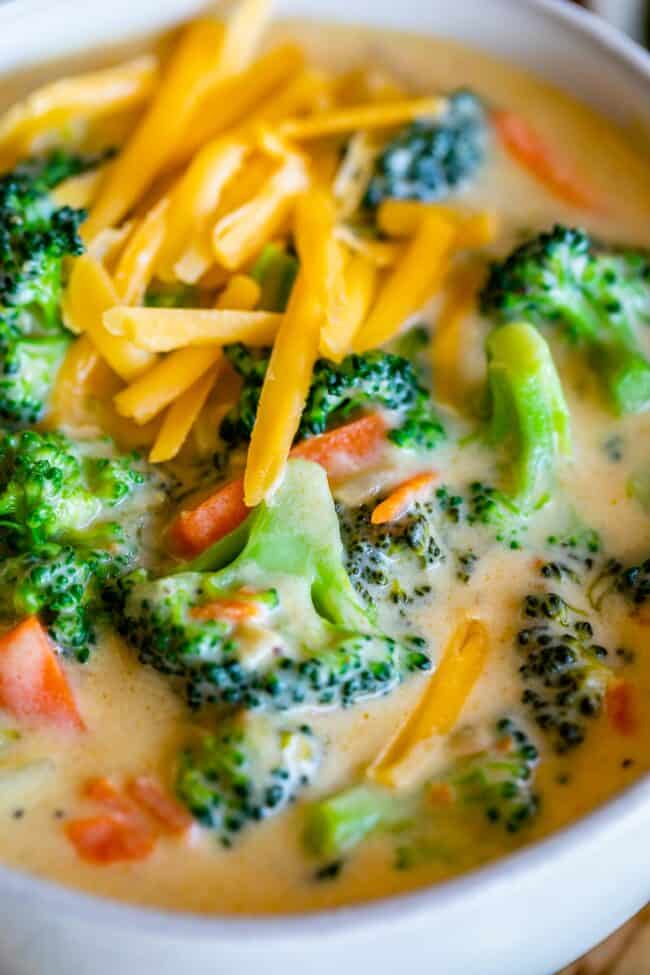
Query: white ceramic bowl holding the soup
{"x": 528, "y": 914}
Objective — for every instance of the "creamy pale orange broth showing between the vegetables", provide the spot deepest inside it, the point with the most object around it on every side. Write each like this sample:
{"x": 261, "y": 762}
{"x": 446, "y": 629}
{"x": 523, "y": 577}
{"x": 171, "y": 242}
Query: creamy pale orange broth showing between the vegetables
{"x": 136, "y": 723}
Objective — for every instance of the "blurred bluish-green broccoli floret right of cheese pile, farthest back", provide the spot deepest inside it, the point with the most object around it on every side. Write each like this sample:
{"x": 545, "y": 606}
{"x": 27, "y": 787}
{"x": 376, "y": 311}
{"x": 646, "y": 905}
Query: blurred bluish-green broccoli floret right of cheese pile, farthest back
{"x": 431, "y": 159}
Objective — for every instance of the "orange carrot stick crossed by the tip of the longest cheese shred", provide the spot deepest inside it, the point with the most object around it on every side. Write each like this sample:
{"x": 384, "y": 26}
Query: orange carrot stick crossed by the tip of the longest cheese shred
{"x": 342, "y": 452}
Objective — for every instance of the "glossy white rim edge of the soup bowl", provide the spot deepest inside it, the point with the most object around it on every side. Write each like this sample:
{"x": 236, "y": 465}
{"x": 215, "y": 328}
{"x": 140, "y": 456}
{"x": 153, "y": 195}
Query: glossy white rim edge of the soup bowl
{"x": 624, "y": 807}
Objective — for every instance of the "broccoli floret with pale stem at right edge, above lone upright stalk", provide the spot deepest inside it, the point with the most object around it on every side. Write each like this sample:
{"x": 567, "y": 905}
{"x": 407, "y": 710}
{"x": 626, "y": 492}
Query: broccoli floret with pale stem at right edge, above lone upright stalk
{"x": 563, "y": 278}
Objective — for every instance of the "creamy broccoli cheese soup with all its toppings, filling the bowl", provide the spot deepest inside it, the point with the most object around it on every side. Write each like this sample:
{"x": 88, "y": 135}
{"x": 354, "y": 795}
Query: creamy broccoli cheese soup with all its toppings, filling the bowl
{"x": 324, "y": 477}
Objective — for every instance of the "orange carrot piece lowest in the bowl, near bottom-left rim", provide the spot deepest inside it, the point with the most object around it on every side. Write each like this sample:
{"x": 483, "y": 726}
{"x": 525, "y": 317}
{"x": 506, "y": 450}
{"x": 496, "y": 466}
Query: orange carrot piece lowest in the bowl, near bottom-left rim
{"x": 106, "y": 839}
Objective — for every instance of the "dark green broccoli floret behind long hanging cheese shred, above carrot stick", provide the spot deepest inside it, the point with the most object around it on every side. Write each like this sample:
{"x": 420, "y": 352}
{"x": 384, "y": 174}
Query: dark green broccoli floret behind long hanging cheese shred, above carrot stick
{"x": 337, "y": 390}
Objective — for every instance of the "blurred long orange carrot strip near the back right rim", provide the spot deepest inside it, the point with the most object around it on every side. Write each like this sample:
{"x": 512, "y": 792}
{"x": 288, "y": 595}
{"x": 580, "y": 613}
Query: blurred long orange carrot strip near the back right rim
{"x": 525, "y": 145}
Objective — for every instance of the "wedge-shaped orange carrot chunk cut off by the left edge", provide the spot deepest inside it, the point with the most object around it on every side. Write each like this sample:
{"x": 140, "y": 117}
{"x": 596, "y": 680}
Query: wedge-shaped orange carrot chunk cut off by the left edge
{"x": 33, "y": 685}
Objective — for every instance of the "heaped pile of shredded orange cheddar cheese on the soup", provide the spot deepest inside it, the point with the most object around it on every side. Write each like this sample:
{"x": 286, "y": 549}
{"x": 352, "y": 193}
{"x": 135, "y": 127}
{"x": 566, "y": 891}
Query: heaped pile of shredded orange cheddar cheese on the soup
{"x": 230, "y": 149}
